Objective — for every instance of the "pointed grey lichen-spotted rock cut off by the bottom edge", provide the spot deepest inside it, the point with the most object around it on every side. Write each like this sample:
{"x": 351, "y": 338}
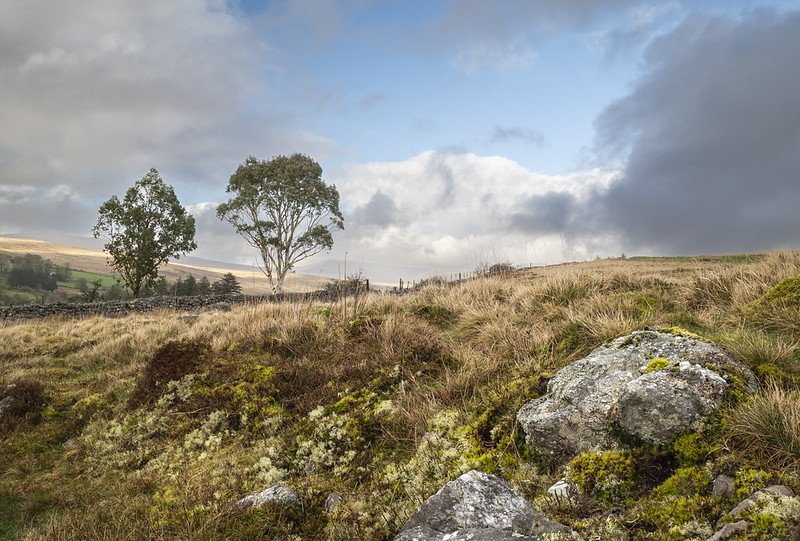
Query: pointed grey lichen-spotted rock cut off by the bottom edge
{"x": 476, "y": 506}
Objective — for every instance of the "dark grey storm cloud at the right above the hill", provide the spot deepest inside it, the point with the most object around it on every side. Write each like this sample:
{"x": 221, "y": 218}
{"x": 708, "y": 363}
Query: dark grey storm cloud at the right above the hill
{"x": 711, "y": 137}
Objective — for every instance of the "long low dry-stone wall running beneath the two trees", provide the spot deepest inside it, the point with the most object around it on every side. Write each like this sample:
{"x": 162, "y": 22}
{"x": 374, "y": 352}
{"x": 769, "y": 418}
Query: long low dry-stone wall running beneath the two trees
{"x": 122, "y": 308}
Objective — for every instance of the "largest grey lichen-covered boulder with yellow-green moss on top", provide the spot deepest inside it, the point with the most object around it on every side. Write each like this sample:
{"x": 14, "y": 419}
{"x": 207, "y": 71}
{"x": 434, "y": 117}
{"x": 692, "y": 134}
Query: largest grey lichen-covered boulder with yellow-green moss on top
{"x": 648, "y": 387}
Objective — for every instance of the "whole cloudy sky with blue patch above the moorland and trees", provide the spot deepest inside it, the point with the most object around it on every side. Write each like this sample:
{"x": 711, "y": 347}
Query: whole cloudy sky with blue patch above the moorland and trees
{"x": 458, "y": 133}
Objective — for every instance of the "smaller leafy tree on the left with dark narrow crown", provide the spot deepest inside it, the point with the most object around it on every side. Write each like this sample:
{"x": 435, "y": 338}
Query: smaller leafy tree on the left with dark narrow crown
{"x": 144, "y": 230}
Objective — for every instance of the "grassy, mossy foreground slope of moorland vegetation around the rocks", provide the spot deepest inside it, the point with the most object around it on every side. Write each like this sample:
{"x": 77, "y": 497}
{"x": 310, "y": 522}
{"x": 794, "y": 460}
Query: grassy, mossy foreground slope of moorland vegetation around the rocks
{"x": 152, "y": 426}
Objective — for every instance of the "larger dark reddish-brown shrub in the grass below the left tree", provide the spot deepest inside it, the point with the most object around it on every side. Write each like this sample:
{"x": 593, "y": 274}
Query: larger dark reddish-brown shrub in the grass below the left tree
{"x": 170, "y": 362}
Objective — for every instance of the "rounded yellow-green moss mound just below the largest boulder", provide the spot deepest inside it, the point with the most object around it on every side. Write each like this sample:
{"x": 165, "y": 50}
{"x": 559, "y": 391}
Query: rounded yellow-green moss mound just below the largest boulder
{"x": 608, "y": 476}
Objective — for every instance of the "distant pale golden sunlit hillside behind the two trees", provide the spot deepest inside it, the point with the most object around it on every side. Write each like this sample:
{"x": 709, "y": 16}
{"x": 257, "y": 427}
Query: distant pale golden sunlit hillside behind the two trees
{"x": 94, "y": 261}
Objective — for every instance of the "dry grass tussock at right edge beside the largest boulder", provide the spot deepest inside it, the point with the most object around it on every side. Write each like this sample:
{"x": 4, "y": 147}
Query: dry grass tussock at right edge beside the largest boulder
{"x": 767, "y": 427}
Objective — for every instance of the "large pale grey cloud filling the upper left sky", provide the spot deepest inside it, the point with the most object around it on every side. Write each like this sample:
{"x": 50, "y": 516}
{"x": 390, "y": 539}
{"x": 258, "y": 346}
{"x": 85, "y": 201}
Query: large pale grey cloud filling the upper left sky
{"x": 92, "y": 96}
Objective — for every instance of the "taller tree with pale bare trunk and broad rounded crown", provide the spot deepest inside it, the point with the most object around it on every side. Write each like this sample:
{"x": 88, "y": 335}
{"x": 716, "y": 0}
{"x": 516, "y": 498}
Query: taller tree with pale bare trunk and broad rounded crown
{"x": 284, "y": 209}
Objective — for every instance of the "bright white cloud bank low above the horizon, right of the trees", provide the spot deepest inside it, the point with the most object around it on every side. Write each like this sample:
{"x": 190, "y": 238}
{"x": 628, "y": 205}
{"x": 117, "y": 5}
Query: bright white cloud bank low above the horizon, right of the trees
{"x": 447, "y": 212}
